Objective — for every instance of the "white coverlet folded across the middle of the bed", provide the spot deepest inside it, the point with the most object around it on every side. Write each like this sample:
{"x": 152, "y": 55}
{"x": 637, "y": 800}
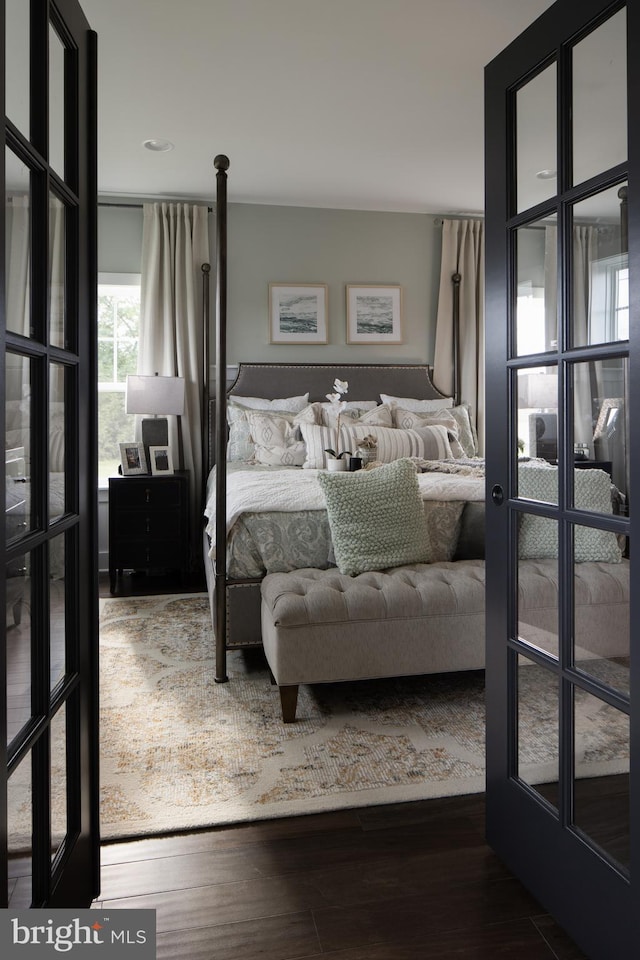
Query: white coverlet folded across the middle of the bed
{"x": 250, "y": 491}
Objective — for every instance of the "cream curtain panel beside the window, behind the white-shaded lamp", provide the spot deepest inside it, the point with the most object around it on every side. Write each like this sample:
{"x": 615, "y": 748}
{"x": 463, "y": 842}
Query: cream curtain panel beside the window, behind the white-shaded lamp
{"x": 175, "y": 244}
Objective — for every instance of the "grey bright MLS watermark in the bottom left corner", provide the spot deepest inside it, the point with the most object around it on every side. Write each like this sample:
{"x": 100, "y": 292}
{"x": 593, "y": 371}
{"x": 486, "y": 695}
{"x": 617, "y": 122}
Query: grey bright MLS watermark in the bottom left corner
{"x": 78, "y": 933}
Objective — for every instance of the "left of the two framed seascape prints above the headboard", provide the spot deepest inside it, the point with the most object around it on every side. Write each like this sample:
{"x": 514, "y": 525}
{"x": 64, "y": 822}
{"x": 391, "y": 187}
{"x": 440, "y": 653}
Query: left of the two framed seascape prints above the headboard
{"x": 298, "y": 312}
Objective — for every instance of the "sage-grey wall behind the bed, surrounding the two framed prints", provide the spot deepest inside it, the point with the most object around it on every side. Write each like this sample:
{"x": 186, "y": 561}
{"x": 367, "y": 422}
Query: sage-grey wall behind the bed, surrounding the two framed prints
{"x": 304, "y": 244}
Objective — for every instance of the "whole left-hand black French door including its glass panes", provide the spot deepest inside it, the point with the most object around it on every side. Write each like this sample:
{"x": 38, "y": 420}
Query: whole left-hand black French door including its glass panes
{"x": 49, "y": 845}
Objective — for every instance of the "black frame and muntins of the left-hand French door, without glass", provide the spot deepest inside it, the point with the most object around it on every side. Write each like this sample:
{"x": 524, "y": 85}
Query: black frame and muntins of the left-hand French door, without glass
{"x": 72, "y": 877}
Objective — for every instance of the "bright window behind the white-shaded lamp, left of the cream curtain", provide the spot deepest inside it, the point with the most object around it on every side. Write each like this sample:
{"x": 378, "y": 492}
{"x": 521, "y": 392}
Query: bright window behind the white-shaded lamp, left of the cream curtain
{"x": 118, "y": 332}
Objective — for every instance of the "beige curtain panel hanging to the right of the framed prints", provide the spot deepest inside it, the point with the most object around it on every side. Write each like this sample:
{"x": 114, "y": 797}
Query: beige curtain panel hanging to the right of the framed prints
{"x": 463, "y": 253}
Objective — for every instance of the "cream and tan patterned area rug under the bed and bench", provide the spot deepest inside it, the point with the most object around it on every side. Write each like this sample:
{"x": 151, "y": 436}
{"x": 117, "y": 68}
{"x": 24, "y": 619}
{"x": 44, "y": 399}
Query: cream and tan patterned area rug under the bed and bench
{"x": 179, "y": 751}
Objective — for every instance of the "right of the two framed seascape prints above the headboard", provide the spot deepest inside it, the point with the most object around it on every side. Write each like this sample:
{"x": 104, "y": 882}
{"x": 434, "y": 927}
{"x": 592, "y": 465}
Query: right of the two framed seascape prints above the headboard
{"x": 374, "y": 313}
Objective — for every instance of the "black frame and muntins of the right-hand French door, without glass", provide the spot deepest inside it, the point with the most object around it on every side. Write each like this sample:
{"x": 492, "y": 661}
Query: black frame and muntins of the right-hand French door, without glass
{"x": 586, "y": 894}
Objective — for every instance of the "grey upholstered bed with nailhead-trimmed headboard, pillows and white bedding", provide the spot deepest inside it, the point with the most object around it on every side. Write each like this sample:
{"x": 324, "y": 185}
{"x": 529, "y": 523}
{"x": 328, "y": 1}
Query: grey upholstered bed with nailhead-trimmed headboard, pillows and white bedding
{"x": 274, "y": 517}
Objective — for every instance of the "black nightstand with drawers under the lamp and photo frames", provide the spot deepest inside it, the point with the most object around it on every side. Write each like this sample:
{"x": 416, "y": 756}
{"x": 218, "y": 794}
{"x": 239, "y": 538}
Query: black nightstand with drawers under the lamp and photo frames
{"x": 148, "y": 524}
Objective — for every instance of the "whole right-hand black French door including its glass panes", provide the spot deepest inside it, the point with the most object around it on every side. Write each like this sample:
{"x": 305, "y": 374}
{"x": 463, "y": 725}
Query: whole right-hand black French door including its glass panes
{"x": 563, "y": 632}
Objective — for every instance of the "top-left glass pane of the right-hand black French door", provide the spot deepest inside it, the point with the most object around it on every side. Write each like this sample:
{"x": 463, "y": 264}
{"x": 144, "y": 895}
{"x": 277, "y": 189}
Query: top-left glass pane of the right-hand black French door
{"x": 536, "y": 139}
